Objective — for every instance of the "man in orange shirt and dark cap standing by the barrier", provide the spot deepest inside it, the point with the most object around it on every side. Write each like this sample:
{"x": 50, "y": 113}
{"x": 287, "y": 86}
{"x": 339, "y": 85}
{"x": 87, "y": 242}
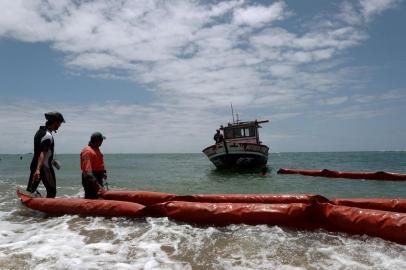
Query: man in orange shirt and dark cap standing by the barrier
{"x": 92, "y": 166}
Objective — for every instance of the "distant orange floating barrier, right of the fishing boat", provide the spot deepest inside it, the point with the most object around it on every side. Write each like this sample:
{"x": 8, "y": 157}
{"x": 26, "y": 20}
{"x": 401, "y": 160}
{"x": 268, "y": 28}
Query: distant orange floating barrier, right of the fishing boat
{"x": 386, "y": 176}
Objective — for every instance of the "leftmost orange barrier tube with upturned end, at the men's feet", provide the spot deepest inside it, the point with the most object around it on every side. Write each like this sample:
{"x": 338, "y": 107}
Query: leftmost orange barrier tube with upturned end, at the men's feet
{"x": 85, "y": 207}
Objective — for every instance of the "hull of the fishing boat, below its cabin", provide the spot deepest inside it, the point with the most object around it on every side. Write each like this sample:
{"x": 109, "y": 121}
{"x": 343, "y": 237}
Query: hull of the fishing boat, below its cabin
{"x": 240, "y": 155}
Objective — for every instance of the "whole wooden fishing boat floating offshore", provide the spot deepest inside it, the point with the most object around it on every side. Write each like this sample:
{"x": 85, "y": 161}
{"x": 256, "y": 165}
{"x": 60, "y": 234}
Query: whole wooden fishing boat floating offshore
{"x": 240, "y": 147}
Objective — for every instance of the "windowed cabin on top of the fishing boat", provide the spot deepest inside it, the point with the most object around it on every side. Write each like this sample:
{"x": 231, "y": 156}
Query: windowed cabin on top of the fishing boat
{"x": 243, "y": 132}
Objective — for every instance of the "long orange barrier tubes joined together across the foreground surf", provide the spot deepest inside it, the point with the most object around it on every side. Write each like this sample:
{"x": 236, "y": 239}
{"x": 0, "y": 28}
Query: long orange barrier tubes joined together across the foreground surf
{"x": 385, "y": 218}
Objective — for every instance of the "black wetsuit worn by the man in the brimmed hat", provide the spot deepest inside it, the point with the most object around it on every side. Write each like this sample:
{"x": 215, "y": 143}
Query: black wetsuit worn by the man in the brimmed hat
{"x": 43, "y": 141}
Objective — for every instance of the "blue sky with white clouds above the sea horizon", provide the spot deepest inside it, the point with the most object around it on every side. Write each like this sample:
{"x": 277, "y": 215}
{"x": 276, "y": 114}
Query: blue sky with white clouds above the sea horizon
{"x": 159, "y": 76}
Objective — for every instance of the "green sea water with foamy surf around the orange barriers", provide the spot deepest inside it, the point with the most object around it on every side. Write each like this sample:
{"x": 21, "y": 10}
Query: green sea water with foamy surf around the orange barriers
{"x": 31, "y": 240}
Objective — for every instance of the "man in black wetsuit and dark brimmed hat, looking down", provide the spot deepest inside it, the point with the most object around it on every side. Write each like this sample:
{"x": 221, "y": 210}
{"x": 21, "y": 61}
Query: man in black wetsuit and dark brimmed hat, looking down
{"x": 42, "y": 161}
